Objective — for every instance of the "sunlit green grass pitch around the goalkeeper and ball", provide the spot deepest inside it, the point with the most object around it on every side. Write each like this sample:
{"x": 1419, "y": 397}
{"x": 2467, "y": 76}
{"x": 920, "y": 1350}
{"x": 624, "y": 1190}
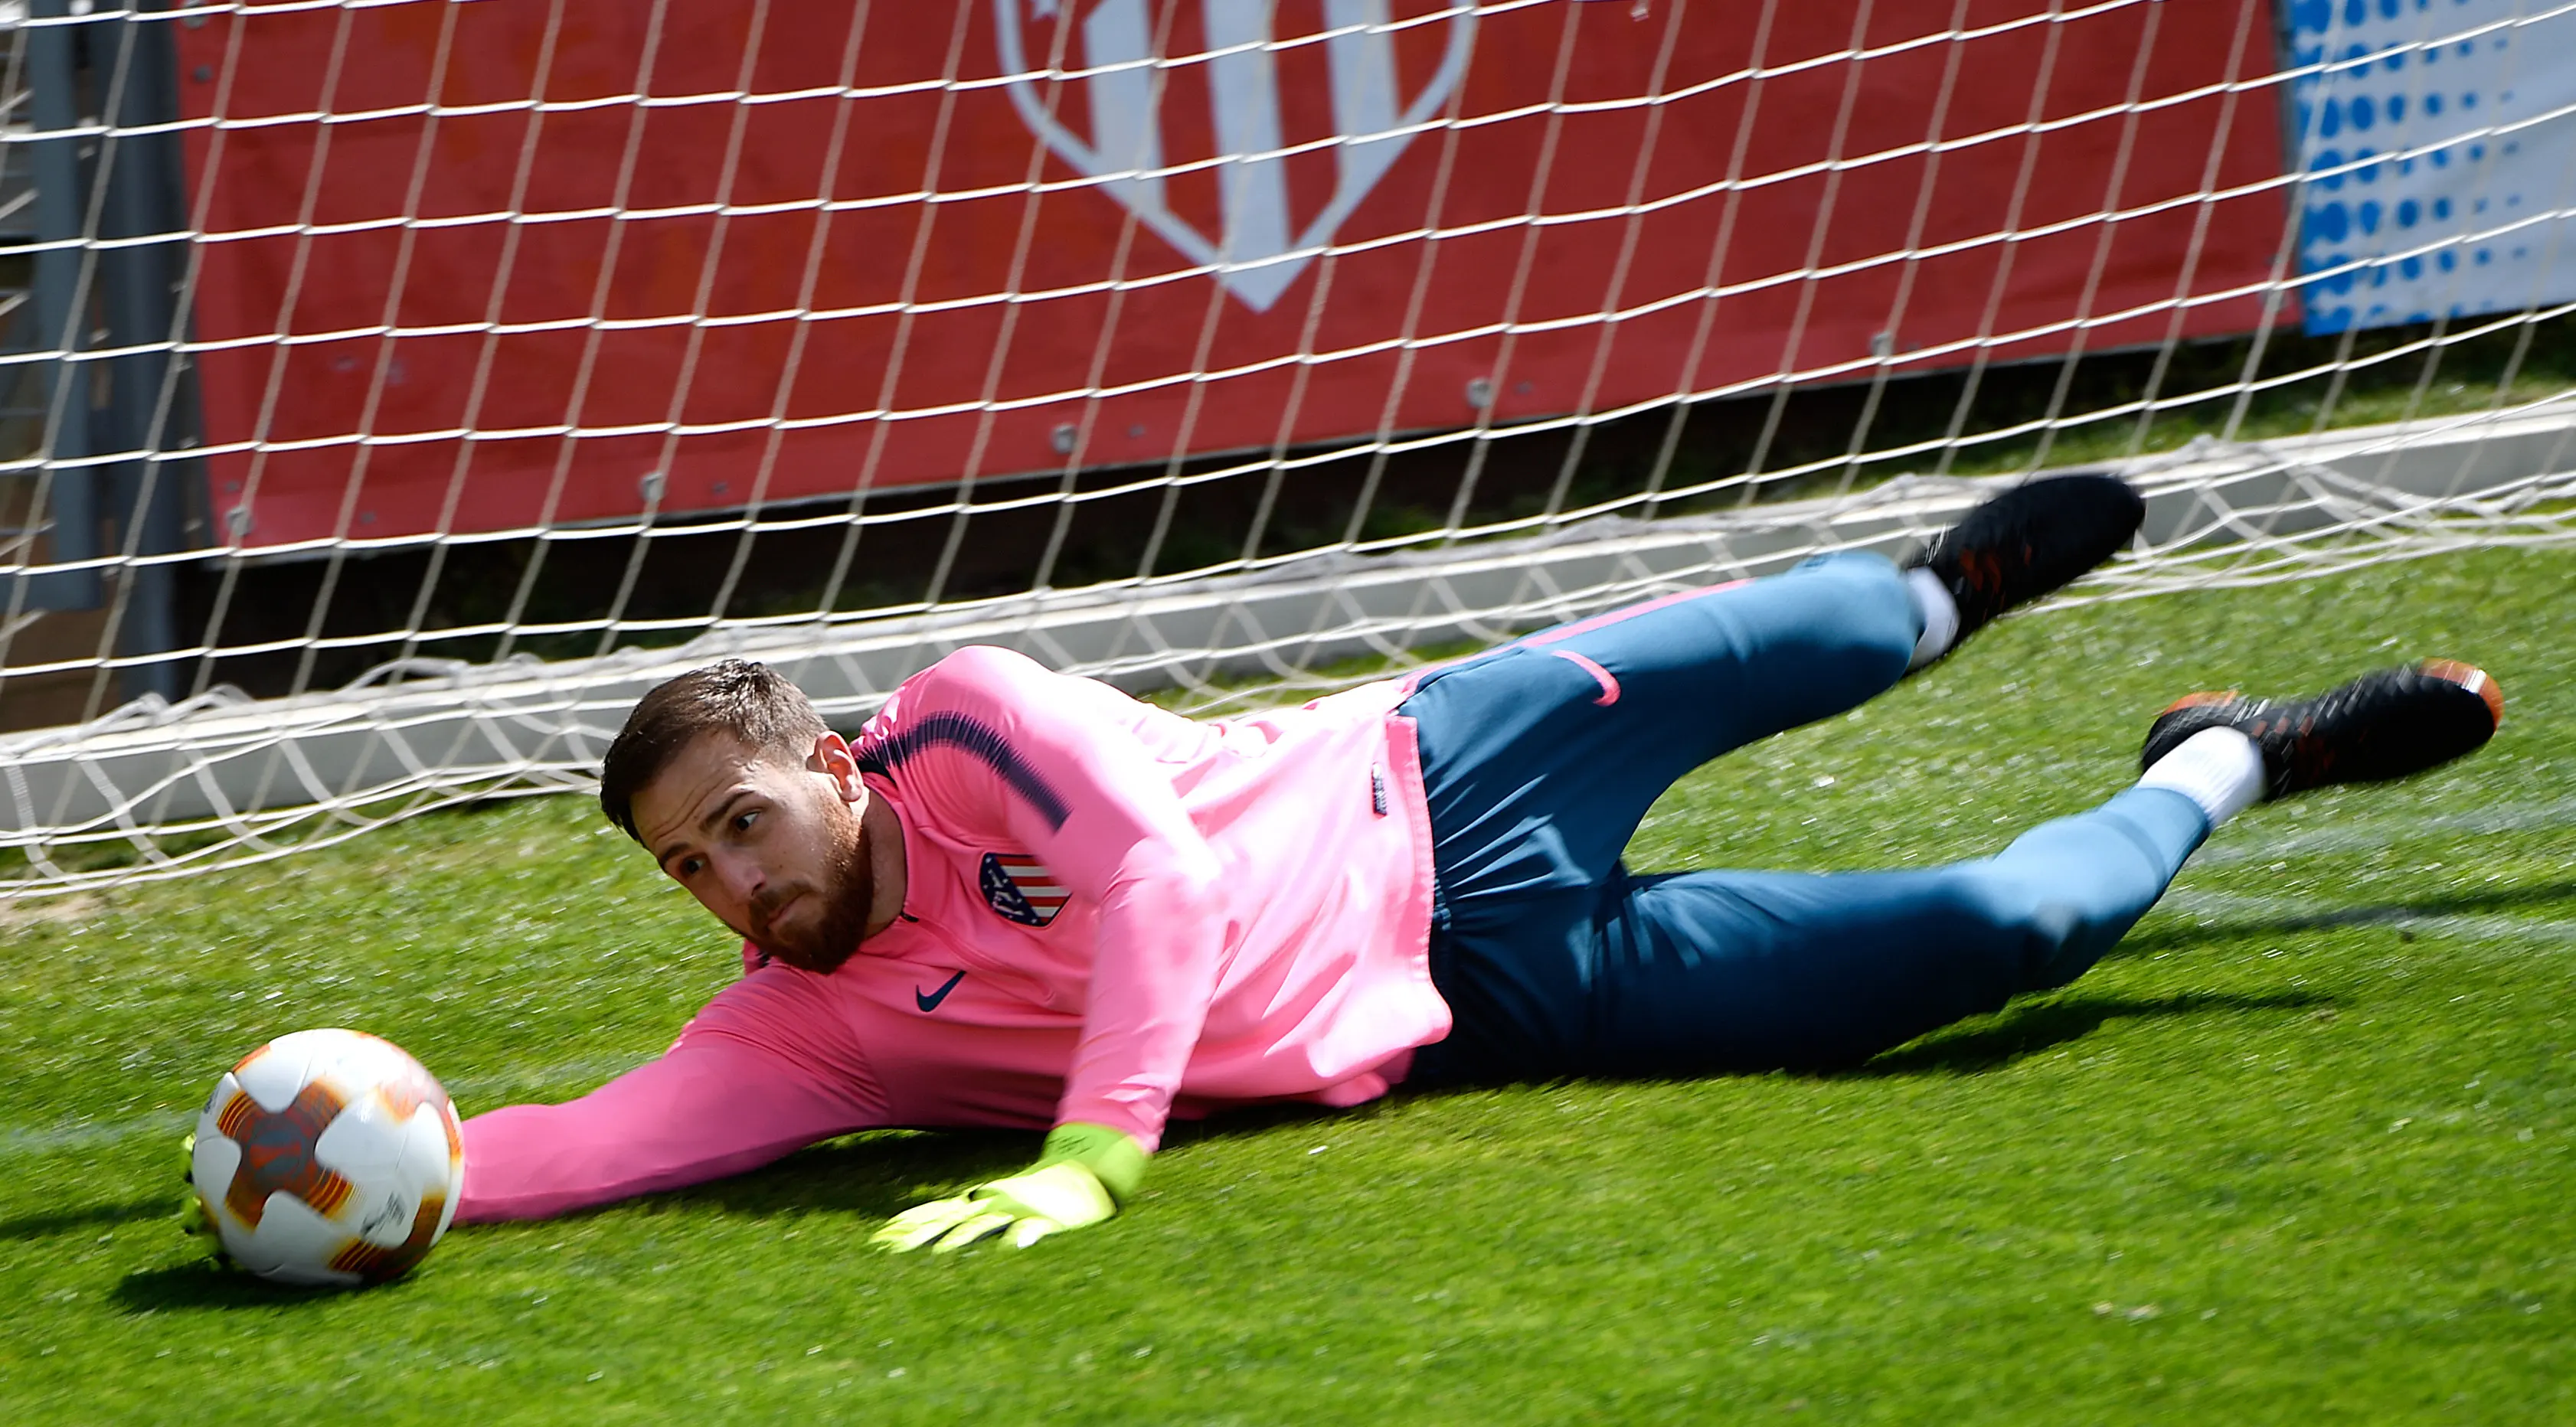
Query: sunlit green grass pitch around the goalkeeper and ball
{"x": 2297, "y": 1153}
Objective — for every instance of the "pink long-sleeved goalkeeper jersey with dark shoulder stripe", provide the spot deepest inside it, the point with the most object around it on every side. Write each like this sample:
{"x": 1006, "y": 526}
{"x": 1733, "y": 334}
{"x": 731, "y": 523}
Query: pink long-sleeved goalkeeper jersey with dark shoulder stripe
{"x": 1112, "y": 916}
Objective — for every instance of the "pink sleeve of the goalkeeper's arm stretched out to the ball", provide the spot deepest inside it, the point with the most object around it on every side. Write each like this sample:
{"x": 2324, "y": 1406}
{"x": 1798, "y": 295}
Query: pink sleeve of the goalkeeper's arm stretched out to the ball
{"x": 748, "y": 1083}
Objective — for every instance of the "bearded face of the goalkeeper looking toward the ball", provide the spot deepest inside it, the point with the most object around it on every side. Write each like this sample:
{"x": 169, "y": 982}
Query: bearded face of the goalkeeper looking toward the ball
{"x": 772, "y": 846}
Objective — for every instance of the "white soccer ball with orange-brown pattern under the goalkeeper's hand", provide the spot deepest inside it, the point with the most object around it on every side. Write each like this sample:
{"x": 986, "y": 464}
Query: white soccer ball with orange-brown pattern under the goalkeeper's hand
{"x": 328, "y": 1158}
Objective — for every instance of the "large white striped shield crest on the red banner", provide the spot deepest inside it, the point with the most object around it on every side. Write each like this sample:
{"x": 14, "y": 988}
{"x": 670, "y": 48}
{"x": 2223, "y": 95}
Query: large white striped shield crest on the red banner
{"x": 1135, "y": 99}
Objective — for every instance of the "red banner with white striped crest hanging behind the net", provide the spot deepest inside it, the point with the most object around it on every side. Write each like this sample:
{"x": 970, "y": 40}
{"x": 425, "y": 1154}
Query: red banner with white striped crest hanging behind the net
{"x": 547, "y": 261}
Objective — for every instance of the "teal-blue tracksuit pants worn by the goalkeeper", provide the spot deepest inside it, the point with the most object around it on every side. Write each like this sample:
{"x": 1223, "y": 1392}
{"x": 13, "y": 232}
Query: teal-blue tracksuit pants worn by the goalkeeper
{"x": 1557, "y": 959}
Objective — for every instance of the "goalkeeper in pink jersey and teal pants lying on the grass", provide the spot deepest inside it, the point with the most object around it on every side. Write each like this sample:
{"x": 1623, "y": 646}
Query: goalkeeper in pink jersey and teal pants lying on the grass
{"x": 1029, "y": 900}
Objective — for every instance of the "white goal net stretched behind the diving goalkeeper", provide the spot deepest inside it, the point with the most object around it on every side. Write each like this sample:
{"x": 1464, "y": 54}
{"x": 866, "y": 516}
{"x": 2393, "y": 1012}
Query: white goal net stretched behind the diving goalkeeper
{"x": 393, "y": 390}
